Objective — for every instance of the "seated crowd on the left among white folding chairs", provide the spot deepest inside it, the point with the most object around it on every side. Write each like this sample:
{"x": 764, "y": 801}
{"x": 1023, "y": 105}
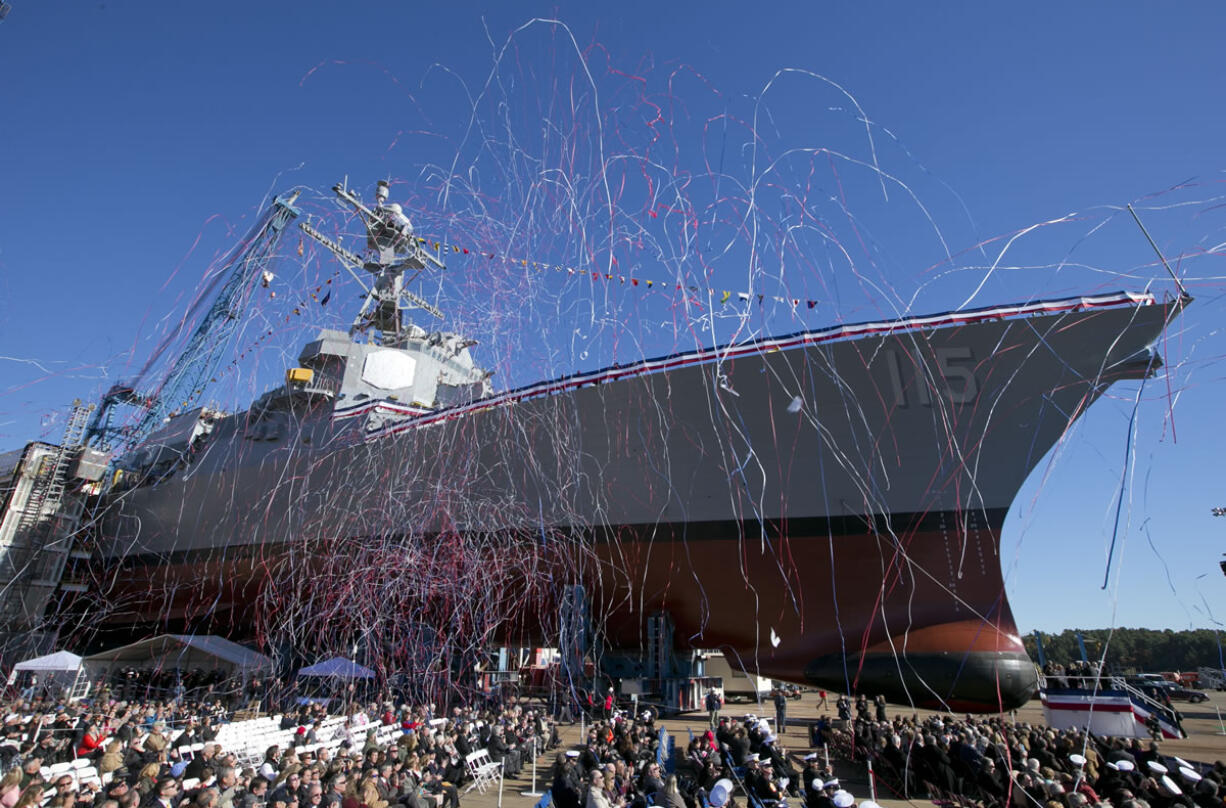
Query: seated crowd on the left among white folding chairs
{"x": 166, "y": 755}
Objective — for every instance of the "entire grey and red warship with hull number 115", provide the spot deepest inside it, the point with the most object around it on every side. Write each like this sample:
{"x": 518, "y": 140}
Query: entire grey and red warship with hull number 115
{"x": 824, "y": 507}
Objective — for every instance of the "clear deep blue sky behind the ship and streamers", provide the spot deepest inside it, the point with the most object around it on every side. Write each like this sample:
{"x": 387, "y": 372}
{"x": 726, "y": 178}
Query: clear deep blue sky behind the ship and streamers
{"x": 138, "y": 138}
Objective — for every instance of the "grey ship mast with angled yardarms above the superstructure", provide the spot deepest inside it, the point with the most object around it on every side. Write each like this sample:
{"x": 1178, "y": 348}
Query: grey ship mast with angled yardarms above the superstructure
{"x": 393, "y": 251}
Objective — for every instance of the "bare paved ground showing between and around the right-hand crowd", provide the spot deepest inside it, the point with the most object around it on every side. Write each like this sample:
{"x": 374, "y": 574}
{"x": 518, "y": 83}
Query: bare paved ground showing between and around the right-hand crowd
{"x": 1205, "y": 724}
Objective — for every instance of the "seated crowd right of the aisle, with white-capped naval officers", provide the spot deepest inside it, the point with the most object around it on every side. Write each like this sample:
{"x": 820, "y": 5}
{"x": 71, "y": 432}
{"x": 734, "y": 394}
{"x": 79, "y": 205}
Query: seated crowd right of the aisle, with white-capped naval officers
{"x": 942, "y": 760}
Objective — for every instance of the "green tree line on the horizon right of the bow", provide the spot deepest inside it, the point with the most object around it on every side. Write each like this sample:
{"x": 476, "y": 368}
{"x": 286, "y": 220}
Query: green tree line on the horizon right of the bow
{"x": 1136, "y": 650}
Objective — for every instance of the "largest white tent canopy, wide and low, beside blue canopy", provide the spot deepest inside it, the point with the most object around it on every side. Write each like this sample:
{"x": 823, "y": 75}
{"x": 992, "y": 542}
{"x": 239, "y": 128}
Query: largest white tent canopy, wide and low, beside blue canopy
{"x": 182, "y": 652}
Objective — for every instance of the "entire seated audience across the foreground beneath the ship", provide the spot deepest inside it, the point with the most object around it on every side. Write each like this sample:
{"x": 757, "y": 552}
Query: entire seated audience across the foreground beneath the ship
{"x": 167, "y": 755}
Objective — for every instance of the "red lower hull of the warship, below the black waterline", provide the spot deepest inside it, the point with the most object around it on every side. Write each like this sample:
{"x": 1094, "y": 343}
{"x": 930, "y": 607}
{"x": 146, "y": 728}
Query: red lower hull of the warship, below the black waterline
{"x": 918, "y": 614}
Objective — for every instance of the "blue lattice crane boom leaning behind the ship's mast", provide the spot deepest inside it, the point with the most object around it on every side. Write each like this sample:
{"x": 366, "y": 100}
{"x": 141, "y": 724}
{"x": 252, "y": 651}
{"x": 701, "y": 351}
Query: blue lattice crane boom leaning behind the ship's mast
{"x": 197, "y": 365}
